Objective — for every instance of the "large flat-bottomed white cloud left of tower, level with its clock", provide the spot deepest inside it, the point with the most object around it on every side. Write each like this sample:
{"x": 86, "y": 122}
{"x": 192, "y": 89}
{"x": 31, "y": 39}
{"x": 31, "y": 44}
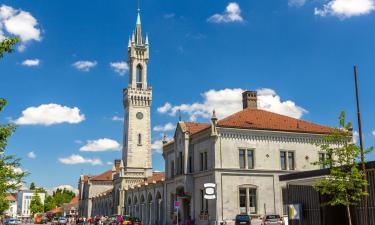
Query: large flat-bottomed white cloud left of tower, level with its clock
{"x": 48, "y": 114}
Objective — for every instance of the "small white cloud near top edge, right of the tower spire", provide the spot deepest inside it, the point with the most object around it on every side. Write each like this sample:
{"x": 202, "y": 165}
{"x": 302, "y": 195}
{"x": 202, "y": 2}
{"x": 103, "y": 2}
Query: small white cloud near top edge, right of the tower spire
{"x": 232, "y": 14}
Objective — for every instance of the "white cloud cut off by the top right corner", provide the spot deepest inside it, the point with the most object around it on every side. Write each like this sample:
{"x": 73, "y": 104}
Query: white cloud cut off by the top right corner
{"x": 346, "y": 8}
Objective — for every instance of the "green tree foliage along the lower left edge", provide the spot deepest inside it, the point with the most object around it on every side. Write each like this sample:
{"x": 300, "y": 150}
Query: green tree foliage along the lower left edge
{"x": 11, "y": 176}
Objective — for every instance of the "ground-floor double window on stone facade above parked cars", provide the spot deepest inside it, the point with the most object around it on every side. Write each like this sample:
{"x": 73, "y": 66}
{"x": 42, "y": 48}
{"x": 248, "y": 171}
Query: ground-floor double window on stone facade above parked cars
{"x": 248, "y": 200}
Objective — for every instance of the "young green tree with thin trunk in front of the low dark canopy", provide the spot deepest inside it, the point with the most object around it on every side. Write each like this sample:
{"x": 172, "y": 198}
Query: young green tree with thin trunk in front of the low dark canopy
{"x": 345, "y": 184}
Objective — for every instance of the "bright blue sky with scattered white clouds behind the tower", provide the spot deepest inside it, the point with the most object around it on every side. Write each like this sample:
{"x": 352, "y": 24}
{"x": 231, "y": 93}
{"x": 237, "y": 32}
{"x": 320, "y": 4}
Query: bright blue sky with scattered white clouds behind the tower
{"x": 64, "y": 82}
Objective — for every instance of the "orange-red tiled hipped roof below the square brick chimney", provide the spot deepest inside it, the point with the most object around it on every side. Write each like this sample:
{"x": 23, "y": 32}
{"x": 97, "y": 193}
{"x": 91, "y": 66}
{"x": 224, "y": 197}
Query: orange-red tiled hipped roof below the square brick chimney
{"x": 264, "y": 120}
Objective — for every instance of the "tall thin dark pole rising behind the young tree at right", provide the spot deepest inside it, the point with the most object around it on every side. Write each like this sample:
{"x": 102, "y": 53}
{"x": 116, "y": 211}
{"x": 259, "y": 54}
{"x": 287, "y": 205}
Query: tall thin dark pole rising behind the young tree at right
{"x": 365, "y": 200}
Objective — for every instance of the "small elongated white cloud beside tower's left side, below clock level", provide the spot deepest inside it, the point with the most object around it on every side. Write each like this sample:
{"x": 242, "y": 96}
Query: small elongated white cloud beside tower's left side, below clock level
{"x": 101, "y": 145}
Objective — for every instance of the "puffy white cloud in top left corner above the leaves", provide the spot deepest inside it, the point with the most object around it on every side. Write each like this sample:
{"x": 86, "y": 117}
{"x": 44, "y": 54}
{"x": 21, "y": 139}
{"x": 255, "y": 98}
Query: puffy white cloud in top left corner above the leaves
{"x": 17, "y": 22}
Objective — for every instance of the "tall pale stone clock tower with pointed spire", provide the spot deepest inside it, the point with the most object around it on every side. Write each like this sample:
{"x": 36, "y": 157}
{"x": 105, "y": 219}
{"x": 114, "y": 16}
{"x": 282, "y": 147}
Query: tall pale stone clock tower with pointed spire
{"x": 137, "y": 102}
